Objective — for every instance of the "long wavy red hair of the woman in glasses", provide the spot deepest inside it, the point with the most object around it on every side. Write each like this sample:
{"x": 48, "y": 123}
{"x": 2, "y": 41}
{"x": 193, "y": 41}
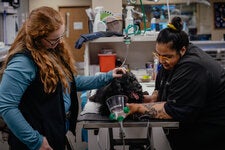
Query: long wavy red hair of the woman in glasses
{"x": 57, "y": 65}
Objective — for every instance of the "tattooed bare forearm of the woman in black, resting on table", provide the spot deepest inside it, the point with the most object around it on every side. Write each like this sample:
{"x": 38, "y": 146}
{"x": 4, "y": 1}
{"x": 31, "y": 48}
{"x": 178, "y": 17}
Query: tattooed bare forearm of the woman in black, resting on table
{"x": 156, "y": 110}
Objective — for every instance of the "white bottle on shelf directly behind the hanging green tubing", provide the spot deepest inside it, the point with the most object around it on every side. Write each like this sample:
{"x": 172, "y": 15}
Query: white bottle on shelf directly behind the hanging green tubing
{"x": 129, "y": 21}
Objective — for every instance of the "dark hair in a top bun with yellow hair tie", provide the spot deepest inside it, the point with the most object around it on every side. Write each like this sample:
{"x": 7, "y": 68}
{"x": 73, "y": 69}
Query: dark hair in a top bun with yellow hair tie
{"x": 174, "y": 35}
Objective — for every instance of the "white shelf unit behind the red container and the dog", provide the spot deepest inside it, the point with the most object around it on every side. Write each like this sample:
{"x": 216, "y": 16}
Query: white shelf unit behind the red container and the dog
{"x": 138, "y": 52}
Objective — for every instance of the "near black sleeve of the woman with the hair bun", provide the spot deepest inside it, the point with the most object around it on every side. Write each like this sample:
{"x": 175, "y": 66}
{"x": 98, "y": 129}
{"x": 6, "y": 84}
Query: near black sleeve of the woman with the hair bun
{"x": 187, "y": 92}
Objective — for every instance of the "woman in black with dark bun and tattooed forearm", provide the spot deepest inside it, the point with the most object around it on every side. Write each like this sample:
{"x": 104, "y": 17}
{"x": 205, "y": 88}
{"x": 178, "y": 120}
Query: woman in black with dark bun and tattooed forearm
{"x": 190, "y": 88}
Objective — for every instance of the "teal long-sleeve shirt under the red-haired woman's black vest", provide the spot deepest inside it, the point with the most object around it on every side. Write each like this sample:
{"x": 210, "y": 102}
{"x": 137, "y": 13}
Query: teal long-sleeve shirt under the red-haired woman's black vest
{"x": 18, "y": 75}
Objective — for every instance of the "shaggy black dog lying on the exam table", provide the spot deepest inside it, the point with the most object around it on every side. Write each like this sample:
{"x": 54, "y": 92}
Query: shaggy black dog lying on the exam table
{"x": 126, "y": 85}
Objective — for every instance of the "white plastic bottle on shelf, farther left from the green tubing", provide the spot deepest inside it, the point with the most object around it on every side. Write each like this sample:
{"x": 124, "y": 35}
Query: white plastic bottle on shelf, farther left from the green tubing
{"x": 98, "y": 24}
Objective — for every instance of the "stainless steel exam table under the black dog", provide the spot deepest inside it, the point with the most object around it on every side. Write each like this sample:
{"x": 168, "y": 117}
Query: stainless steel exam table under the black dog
{"x": 95, "y": 121}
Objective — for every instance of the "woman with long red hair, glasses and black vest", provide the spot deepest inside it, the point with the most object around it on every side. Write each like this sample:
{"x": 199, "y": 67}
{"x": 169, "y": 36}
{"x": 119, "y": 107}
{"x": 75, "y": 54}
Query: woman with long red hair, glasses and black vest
{"x": 39, "y": 84}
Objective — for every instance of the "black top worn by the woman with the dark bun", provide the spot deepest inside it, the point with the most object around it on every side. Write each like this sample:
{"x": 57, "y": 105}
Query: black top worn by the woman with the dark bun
{"x": 194, "y": 90}
